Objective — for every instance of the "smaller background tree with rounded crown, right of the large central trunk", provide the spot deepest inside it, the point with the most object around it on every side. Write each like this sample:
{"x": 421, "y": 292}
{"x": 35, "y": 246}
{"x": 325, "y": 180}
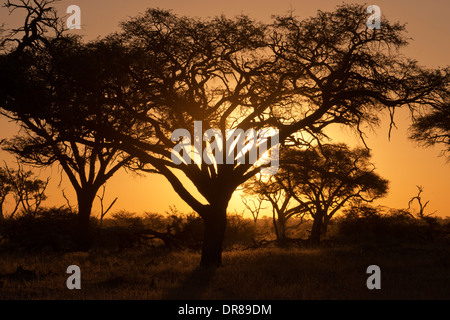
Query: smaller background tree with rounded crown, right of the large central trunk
{"x": 320, "y": 181}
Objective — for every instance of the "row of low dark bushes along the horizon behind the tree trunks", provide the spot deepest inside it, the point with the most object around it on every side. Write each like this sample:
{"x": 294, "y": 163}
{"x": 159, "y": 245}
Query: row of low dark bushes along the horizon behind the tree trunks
{"x": 53, "y": 229}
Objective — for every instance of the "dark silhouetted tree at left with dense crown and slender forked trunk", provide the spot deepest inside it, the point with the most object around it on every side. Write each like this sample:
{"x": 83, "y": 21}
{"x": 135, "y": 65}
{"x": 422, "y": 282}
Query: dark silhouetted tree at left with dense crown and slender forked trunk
{"x": 50, "y": 87}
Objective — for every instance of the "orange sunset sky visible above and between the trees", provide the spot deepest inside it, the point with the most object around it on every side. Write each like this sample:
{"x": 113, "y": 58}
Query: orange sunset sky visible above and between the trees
{"x": 401, "y": 161}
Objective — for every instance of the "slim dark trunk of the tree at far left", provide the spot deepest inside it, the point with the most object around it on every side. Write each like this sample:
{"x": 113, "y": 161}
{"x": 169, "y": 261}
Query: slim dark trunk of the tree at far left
{"x": 83, "y": 236}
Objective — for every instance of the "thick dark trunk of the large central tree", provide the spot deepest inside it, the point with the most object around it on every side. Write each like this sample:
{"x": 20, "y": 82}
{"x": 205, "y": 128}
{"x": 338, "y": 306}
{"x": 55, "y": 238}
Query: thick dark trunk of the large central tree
{"x": 215, "y": 222}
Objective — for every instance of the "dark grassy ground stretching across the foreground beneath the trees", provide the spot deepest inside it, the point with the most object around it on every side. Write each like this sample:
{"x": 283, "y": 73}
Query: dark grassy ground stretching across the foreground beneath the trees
{"x": 339, "y": 272}
